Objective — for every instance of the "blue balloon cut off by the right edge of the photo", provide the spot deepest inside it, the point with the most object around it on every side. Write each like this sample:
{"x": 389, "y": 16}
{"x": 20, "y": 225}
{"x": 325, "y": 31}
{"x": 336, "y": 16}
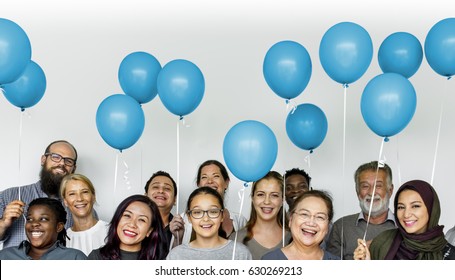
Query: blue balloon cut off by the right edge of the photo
{"x": 440, "y": 47}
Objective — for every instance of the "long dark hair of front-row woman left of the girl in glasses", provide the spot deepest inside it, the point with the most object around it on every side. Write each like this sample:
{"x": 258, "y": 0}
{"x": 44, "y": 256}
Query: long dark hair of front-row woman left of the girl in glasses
{"x": 153, "y": 247}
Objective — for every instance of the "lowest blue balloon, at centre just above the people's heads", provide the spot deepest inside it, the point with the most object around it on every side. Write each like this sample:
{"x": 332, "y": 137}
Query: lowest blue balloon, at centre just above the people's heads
{"x": 250, "y": 149}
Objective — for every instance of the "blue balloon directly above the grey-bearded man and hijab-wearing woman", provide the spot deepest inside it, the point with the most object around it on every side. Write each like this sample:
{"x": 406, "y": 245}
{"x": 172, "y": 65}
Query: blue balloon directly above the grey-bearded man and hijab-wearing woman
{"x": 388, "y": 104}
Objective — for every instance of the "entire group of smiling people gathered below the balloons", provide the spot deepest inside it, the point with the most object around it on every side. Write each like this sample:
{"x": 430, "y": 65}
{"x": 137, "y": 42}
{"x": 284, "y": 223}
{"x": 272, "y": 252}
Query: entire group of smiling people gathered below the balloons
{"x": 55, "y": 218}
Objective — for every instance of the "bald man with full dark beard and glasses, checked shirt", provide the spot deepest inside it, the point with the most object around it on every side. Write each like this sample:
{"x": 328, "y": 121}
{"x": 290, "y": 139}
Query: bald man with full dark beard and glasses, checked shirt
{"x": 58, "y": 160}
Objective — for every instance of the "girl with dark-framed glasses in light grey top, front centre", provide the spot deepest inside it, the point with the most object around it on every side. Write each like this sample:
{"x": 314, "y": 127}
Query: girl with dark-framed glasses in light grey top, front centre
{"x": 205, "y": 211}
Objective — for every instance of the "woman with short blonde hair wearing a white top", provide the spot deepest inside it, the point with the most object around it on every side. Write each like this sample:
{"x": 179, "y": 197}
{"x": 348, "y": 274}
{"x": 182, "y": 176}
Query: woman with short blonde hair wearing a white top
{"x": 87, "y": 232}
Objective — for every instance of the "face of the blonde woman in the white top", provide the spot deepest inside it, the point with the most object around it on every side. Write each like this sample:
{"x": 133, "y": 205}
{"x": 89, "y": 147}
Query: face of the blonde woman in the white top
{"x": 79, "y": 198}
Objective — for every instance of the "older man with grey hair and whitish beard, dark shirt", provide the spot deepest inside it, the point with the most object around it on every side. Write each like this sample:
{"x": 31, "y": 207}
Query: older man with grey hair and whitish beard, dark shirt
{"x": 373, "y": 219}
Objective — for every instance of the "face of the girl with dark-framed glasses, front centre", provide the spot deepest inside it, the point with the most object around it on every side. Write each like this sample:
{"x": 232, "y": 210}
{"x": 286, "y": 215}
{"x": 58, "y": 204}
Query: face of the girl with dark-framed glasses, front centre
{"x": 205, "y": 227}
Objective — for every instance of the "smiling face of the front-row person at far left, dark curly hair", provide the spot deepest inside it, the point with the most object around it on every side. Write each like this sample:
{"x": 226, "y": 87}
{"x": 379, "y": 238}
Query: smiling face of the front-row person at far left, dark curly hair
{"x": 42, "y": 227}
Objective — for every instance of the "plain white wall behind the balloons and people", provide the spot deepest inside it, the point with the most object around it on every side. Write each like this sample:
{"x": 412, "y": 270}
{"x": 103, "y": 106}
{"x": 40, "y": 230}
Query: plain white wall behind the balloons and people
{"x": 80, "y": 44}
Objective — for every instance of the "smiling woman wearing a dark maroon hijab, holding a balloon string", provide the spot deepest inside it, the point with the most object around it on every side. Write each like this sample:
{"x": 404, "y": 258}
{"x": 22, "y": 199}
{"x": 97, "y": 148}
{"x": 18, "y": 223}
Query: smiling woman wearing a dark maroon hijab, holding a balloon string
{"x": 418, "y": 236}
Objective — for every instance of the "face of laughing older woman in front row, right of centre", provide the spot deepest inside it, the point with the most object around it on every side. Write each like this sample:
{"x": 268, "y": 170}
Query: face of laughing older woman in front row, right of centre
{"x": 309, "y": 222}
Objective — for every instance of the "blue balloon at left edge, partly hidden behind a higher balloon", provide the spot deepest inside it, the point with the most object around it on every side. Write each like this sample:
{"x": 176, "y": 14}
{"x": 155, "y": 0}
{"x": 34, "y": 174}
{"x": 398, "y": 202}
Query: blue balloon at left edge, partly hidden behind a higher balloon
{"x": 28, "y": 89}
